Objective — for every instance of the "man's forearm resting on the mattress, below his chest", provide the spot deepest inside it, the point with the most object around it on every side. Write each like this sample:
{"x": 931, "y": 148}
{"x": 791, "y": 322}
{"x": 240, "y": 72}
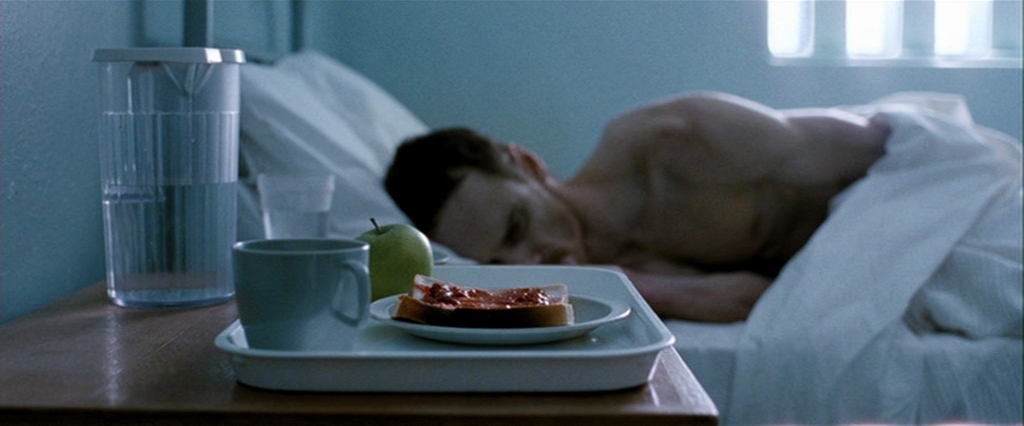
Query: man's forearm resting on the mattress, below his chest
{"x": 724, "y": 297}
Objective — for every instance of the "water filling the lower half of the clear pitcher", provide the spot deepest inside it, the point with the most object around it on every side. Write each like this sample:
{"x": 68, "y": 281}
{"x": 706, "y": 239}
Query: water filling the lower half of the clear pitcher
{"x": 169, "y": 245}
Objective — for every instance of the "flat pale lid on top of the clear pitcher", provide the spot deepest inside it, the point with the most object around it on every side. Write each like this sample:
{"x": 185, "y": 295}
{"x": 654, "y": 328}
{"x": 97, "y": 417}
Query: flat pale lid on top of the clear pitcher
{"x": 169, "y": 55}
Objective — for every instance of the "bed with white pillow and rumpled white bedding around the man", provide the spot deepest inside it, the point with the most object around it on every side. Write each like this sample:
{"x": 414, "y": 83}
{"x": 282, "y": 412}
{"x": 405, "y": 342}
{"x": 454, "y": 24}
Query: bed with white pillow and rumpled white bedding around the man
{"x": 872, "y": 322}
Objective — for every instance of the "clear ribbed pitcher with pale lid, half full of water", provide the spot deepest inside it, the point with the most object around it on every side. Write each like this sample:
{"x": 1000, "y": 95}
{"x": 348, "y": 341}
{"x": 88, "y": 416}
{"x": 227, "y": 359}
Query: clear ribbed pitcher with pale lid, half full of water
{"x": 168, "y": 150}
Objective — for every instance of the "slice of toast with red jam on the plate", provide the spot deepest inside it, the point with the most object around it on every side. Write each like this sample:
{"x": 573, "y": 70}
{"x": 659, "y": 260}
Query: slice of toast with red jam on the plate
{"x": 438, "y": 303}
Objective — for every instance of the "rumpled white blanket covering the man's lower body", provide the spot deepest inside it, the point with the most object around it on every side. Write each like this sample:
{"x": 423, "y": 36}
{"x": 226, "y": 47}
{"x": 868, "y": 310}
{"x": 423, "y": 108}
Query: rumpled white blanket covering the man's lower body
{"x": 907, "y": 306}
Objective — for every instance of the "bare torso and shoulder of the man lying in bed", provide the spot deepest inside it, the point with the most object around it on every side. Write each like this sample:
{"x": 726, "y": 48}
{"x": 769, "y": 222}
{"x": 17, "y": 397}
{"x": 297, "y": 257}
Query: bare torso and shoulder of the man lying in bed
{"x": 718, "y": 184}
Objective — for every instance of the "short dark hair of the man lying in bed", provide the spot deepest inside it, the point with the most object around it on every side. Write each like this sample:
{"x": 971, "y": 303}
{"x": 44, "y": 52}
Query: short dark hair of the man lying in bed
{"x": 428, "y": 169}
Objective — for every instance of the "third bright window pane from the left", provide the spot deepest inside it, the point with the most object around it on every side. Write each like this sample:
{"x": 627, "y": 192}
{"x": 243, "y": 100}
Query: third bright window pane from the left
{"x": 963, "y": 28}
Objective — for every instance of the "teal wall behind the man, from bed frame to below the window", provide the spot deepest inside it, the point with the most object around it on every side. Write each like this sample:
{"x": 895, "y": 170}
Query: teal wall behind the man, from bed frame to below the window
{"x": 549, "y": 74}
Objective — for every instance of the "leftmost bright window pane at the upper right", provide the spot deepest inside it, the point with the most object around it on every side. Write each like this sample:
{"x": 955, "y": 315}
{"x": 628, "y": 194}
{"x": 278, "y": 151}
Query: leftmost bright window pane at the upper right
{"x": 791, "y": 28}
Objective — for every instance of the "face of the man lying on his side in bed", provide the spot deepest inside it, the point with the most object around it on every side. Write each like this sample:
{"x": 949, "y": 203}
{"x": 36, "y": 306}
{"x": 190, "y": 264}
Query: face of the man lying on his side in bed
{"x": 496, "y": 220}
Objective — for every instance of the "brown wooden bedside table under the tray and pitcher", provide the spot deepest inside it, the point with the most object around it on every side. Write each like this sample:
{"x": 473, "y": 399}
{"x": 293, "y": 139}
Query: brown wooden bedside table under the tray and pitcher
{"x": 84, "y": 361}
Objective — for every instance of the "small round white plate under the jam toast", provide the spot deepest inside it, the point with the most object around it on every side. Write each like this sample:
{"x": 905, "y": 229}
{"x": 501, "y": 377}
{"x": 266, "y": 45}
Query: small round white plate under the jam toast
{"x": 590, "y": 314}
